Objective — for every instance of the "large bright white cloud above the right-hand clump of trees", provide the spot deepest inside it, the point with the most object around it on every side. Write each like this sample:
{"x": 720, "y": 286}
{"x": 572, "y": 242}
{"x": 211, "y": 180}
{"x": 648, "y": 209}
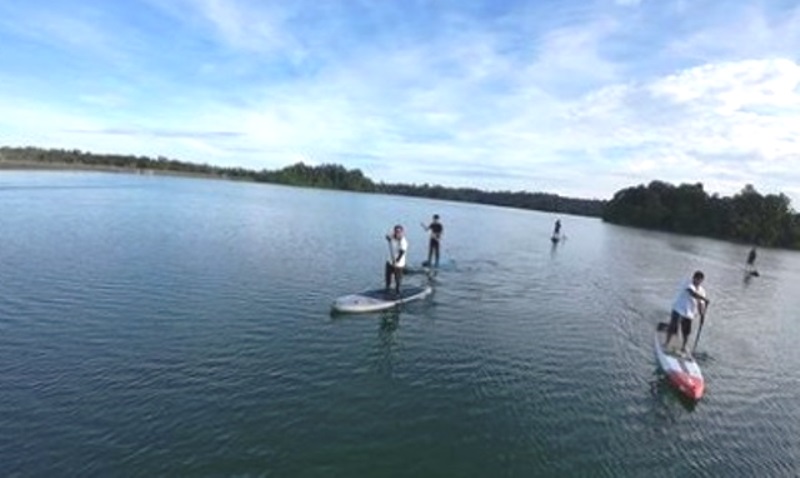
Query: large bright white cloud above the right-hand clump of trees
{"x": 734, "y": 120}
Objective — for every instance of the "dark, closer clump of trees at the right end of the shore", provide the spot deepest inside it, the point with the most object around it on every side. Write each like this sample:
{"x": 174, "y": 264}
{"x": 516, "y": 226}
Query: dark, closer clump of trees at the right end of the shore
{"x": 748, "y": 216}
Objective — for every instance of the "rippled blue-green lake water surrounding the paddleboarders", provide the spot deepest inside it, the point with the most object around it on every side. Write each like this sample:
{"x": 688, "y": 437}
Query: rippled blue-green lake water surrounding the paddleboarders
{"x": 161, "y": 326}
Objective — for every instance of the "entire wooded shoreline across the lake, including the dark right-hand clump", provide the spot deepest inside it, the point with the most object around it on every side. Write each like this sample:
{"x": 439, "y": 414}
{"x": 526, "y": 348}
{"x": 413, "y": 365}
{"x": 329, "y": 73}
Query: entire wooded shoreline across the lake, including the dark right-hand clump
{"x": 747, "y": 217}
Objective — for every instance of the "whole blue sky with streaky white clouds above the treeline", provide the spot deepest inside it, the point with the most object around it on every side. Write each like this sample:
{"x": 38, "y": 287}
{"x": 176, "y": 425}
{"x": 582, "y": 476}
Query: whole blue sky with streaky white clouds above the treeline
{"x": 580, "y": 98}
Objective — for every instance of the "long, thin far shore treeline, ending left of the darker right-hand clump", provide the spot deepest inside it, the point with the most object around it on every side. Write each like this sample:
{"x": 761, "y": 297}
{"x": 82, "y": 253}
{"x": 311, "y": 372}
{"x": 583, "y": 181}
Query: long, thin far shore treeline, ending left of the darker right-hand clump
{"x": 326, "y": 176}
